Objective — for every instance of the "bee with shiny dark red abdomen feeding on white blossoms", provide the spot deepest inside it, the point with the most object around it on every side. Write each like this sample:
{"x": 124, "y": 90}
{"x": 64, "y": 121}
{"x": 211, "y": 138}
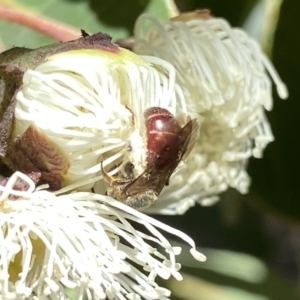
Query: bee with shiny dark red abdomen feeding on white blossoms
{"x": 167, "y": 145}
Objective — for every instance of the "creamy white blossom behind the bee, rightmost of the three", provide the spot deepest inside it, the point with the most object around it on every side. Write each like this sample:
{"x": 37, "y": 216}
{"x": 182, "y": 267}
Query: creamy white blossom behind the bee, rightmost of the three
{"x": 227, "y": 80}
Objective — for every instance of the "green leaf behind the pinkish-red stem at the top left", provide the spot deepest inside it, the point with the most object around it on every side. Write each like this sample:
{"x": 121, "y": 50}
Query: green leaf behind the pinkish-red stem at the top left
{"x": 114, "y": 17}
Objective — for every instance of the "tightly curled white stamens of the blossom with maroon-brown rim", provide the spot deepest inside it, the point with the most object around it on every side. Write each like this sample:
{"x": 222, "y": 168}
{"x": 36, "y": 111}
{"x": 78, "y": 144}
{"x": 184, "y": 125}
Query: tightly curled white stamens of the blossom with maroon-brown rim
{"x": 79, "y": 100}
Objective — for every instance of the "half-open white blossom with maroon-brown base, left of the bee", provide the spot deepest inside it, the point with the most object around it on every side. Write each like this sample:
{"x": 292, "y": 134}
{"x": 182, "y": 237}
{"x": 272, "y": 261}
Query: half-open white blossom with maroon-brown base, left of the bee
{"x": 79, "y": 105}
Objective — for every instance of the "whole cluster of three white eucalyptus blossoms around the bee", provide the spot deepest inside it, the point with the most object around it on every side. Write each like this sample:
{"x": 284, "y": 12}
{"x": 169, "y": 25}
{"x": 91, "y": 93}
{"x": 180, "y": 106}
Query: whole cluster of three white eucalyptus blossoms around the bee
{"x": 71, "y": 109}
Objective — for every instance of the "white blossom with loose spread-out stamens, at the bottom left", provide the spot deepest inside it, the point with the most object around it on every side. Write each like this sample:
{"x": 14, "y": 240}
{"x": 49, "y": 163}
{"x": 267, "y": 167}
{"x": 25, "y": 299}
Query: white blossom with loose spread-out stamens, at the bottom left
{"x": 82, "y": 242}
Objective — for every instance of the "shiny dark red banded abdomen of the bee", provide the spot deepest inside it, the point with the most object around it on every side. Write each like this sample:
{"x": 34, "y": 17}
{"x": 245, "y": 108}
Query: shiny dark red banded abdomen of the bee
{"x": 161, "y": 131}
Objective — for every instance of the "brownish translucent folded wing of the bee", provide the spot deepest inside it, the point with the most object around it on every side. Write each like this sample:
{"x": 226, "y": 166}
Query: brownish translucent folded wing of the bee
{"x": 154, "y": 178}
